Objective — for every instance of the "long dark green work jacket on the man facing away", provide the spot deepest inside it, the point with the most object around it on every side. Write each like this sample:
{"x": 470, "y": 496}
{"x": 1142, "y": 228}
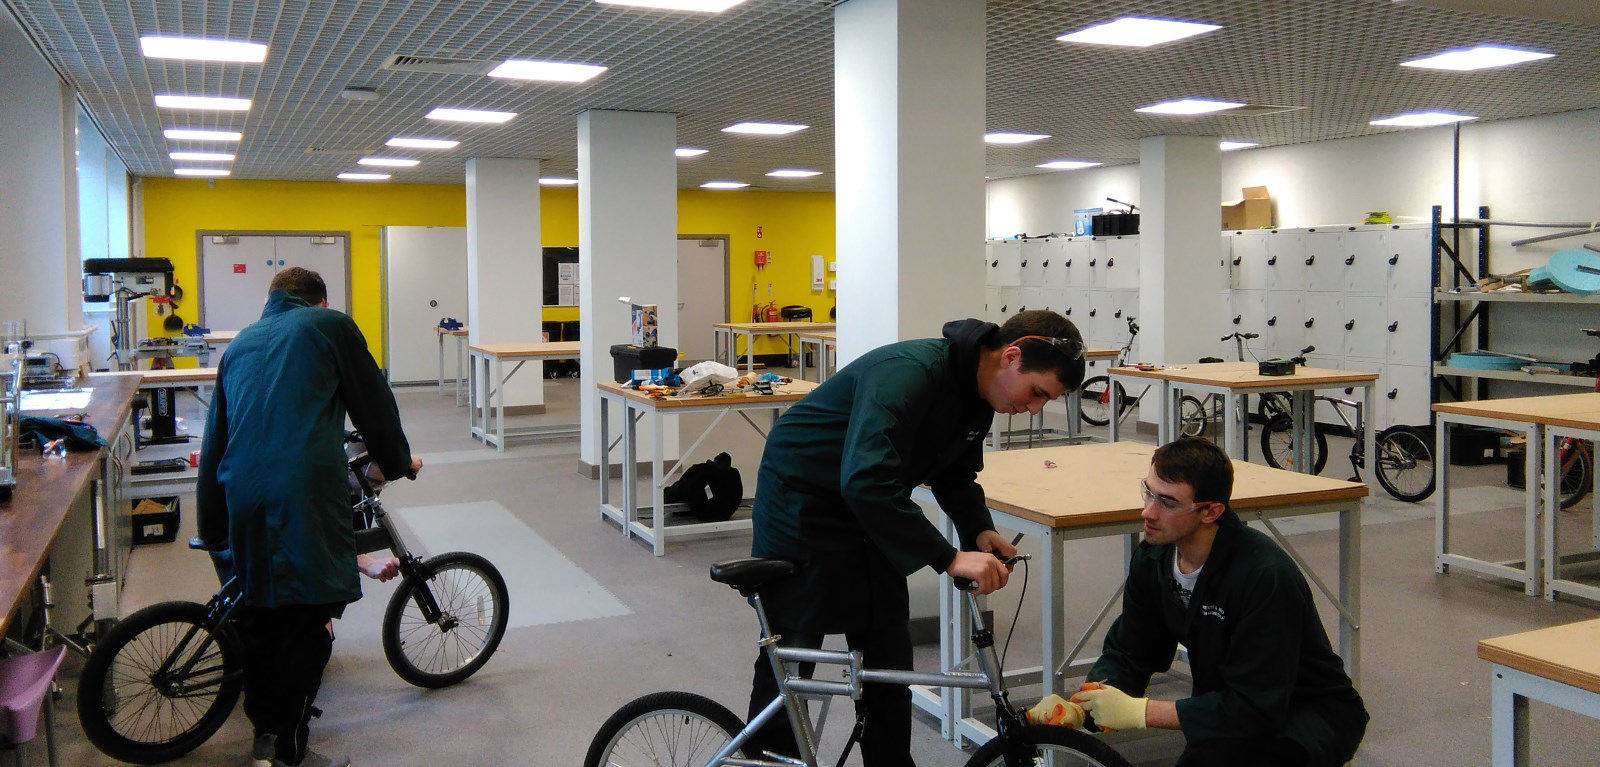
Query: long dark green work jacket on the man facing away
{"x": 273, "y": 467}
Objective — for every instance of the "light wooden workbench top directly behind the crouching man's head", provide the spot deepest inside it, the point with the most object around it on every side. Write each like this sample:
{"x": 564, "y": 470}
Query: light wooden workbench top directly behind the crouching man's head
{"x": 1098, "y": 484}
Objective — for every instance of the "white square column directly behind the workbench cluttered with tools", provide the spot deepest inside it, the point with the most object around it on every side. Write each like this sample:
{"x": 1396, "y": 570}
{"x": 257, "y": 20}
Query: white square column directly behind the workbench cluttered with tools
{"x": 628, "y": 244}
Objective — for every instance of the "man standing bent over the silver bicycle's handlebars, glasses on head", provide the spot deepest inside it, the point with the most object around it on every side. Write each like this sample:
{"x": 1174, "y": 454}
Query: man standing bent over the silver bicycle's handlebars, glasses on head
{"x": 834, "y": 496}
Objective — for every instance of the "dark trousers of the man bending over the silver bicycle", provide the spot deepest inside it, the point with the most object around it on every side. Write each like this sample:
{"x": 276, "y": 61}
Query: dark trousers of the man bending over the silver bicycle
{"x": 863, "y": 598}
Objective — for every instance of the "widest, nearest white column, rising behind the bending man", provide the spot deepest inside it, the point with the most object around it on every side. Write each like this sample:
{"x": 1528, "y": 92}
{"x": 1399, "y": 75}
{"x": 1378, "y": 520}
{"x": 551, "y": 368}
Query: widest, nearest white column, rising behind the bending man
{"x": 910, "y": 166}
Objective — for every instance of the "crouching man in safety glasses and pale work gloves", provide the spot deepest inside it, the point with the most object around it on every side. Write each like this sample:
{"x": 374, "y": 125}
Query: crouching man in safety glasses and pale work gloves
{"x": 1268, "y": 686}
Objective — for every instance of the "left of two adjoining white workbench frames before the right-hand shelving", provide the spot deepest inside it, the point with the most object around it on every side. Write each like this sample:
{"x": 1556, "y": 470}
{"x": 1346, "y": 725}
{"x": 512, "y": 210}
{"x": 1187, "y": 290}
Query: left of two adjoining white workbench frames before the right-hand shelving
{"x": 1526, "y": 571}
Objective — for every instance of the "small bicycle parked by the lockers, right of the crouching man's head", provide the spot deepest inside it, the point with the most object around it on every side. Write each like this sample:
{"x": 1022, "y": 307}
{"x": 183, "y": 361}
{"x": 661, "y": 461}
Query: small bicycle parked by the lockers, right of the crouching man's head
{"x": 1406, "y": 454}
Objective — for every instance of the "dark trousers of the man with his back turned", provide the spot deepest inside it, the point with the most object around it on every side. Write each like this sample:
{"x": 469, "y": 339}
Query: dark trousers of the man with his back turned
{"x": 286, "y": 653}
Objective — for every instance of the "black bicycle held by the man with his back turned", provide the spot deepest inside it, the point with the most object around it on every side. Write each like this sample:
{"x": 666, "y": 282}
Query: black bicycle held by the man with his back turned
{"x": 166, "y": 678}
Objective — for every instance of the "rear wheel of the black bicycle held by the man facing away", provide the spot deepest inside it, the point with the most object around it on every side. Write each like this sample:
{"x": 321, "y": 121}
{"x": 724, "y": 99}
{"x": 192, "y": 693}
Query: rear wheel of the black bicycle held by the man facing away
{"x": 135, "y": 712}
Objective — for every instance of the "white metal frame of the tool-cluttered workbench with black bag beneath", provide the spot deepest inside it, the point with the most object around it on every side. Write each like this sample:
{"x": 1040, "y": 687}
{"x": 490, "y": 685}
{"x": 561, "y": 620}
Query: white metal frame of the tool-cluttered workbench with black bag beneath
{"x": 630, "y": 515}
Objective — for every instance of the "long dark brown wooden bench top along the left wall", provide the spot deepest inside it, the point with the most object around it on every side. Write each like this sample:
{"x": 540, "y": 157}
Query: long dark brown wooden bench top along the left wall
{"x": 46, "y": 489}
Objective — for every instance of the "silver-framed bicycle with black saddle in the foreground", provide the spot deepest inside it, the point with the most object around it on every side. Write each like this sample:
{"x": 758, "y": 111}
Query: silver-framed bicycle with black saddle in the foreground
{"x": 682, "y": 729}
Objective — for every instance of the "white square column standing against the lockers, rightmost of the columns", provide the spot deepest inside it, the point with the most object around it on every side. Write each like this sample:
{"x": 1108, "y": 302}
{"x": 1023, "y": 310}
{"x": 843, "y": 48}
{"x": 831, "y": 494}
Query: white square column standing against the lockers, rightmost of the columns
{"x": 1180, "y": 180}
